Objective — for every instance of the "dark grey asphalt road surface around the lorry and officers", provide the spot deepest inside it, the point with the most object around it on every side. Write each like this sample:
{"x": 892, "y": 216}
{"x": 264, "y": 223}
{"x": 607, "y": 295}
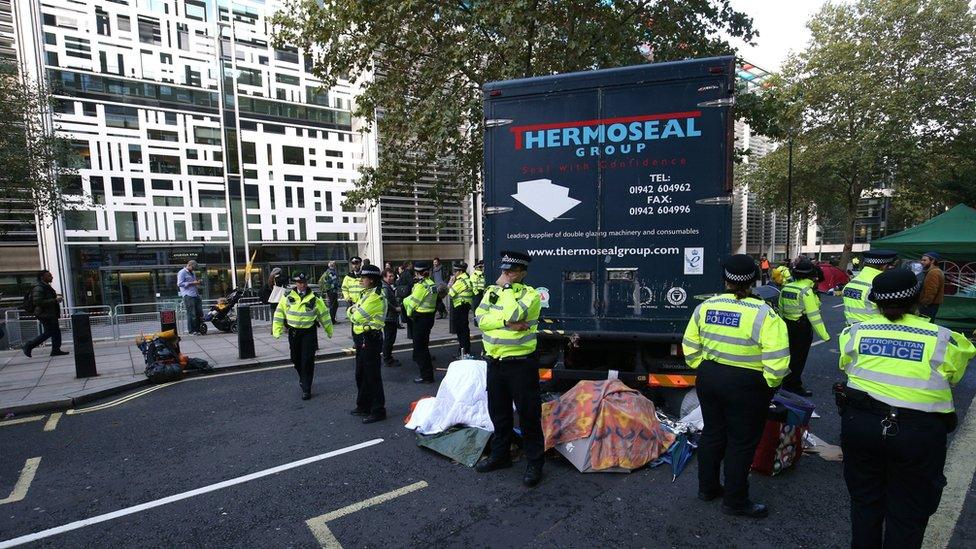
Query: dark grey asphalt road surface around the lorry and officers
{"x": 195, "y": 434}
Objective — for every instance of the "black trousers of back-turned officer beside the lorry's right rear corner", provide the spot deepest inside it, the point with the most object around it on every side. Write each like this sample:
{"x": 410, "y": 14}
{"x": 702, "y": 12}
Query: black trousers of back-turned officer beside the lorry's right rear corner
{"x": 734, "y": 404}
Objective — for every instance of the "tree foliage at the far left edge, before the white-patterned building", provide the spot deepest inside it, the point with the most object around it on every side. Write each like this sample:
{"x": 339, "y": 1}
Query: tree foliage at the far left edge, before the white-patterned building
{"x": 36, "y": 162}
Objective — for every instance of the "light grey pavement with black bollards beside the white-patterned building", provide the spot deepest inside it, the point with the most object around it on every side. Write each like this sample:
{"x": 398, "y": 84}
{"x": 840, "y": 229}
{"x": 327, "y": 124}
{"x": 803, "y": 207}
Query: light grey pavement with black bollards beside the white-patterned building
{"x": 45, "y": 383}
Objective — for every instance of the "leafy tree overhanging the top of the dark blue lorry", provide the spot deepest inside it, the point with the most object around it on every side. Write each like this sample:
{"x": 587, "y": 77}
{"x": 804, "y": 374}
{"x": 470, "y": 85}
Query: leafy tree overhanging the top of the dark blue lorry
{"x": 431, "y": 58}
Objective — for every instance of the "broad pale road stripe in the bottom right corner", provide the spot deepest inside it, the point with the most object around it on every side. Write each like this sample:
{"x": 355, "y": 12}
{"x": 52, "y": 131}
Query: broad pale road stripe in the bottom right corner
{"x": 959, "y": 470}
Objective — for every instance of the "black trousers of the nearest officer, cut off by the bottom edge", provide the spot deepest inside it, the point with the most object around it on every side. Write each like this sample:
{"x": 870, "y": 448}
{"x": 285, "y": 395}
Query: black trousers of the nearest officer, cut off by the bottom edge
{"x": 895, "y": 481}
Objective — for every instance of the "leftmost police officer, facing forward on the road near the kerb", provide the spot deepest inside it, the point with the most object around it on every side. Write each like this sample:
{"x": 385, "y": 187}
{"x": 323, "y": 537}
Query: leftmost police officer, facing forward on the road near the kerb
{"x": 299, "y": 311}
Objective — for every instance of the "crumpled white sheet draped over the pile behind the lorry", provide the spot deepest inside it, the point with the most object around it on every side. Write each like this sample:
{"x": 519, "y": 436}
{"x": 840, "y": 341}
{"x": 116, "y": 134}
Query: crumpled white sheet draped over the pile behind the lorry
{"x": 462, "y": 399}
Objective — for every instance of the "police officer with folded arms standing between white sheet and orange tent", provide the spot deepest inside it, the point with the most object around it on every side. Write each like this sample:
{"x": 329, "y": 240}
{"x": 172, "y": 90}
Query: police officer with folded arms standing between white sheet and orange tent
{"x": 509, "y": 318}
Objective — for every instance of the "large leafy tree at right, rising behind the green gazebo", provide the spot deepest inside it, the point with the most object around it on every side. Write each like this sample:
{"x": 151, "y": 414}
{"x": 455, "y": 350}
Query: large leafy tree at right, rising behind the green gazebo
{"x": 883, "y": 92}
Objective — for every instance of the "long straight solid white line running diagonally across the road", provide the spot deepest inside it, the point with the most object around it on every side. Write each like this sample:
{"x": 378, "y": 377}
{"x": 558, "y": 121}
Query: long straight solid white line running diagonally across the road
{"x": 184, "y": 495}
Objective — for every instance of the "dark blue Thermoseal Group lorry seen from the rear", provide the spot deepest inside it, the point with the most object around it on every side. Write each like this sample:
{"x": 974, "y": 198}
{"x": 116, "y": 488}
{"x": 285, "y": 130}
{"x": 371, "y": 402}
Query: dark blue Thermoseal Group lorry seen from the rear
{"x": 618, "y": 183}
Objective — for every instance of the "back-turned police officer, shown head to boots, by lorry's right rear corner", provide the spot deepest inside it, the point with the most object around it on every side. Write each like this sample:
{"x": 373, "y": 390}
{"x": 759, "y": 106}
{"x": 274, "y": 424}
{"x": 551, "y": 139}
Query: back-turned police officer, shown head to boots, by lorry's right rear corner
{"x": 740, "y": 348}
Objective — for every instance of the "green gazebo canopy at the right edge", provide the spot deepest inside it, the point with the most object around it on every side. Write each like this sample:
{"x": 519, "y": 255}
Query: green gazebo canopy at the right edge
{"x": 952, "y": 234}
